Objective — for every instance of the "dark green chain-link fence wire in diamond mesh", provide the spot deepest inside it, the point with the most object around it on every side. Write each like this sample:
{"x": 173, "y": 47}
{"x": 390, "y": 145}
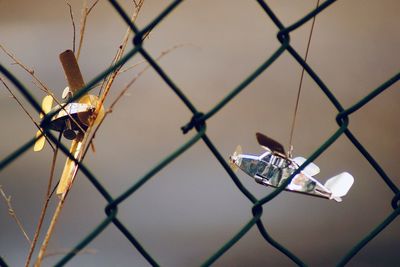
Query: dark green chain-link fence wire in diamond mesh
{"x": 198, "y": 123}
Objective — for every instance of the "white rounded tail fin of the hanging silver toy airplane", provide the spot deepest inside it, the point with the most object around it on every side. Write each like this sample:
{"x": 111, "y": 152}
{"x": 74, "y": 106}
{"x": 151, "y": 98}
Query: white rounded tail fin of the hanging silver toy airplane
{"x": 339, "y": 185}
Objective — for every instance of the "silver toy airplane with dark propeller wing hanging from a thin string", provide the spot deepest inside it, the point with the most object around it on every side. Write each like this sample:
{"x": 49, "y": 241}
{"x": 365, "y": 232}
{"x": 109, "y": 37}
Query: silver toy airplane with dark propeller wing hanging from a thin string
{"x": 273, "y": 167}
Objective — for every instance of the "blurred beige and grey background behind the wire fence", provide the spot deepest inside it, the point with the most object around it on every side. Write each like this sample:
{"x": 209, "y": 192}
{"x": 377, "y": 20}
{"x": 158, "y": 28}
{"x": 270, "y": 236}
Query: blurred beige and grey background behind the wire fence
{"x": 191, "y": 208}
